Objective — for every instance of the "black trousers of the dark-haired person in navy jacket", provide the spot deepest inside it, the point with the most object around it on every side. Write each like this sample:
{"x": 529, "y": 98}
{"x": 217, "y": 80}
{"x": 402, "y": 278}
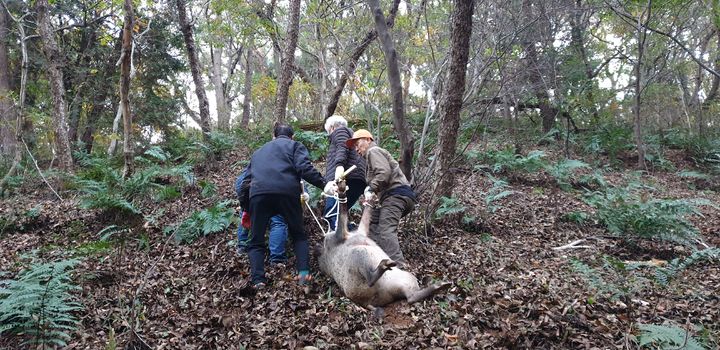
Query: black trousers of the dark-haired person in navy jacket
{"x": 262, "y": 208}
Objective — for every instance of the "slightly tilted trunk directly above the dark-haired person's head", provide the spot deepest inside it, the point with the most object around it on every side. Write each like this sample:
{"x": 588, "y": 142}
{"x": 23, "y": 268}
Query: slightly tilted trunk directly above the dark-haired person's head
{"x": 288, "y": 62}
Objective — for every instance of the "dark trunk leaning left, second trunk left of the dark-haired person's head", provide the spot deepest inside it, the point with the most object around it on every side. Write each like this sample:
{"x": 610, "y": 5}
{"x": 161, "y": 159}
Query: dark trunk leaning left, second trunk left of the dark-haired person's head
{"x": 187, "y": 31}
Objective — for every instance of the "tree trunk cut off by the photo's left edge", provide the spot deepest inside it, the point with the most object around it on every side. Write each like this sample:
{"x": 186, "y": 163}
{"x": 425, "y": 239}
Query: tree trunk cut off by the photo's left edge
{"x": 7, "y": 117}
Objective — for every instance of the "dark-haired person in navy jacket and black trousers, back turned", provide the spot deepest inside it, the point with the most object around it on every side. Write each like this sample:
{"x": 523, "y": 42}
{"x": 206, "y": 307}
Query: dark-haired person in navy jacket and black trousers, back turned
{"x": 272, "y": 187}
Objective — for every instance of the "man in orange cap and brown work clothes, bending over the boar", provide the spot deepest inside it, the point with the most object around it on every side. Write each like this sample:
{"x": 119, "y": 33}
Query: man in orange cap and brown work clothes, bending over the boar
{"x": 388, "y": 184}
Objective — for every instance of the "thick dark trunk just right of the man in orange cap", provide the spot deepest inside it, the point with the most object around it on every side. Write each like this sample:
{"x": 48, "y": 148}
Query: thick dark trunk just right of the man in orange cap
{"x": 452, "y": 98}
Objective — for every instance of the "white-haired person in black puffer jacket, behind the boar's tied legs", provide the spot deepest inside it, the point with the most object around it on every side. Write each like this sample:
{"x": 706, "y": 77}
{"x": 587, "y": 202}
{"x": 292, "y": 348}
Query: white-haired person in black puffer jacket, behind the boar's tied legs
{"x": 340, "y": 155}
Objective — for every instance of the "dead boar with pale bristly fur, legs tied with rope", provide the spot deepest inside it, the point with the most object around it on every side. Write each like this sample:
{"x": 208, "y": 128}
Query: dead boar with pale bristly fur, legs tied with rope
{"x": 364, "y": 272}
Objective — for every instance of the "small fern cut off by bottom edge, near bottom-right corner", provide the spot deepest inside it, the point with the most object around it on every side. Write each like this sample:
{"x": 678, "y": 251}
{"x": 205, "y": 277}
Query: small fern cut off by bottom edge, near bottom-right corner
{"x": 666, "y": 337}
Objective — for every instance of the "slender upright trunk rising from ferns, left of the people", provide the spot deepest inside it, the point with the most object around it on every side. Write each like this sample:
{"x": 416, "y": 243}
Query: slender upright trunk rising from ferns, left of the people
{"x": 126, "y": 57}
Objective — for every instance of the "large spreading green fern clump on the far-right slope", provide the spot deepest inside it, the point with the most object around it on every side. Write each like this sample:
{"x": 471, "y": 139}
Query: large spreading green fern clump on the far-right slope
{"x": 630, "y": 212}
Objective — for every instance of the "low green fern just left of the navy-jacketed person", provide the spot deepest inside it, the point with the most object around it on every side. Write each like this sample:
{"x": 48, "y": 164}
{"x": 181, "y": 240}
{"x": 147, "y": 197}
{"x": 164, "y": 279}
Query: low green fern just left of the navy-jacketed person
{"x": 204, "y": 222}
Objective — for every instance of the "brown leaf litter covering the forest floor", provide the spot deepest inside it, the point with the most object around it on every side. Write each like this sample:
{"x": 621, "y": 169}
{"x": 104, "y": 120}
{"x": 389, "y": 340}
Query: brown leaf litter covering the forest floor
{"x": 511, "y": 289}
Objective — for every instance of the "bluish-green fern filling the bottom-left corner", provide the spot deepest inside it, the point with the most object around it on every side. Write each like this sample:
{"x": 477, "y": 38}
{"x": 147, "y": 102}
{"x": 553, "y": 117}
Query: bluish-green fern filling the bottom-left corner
{"x": 39, "y": 303}
